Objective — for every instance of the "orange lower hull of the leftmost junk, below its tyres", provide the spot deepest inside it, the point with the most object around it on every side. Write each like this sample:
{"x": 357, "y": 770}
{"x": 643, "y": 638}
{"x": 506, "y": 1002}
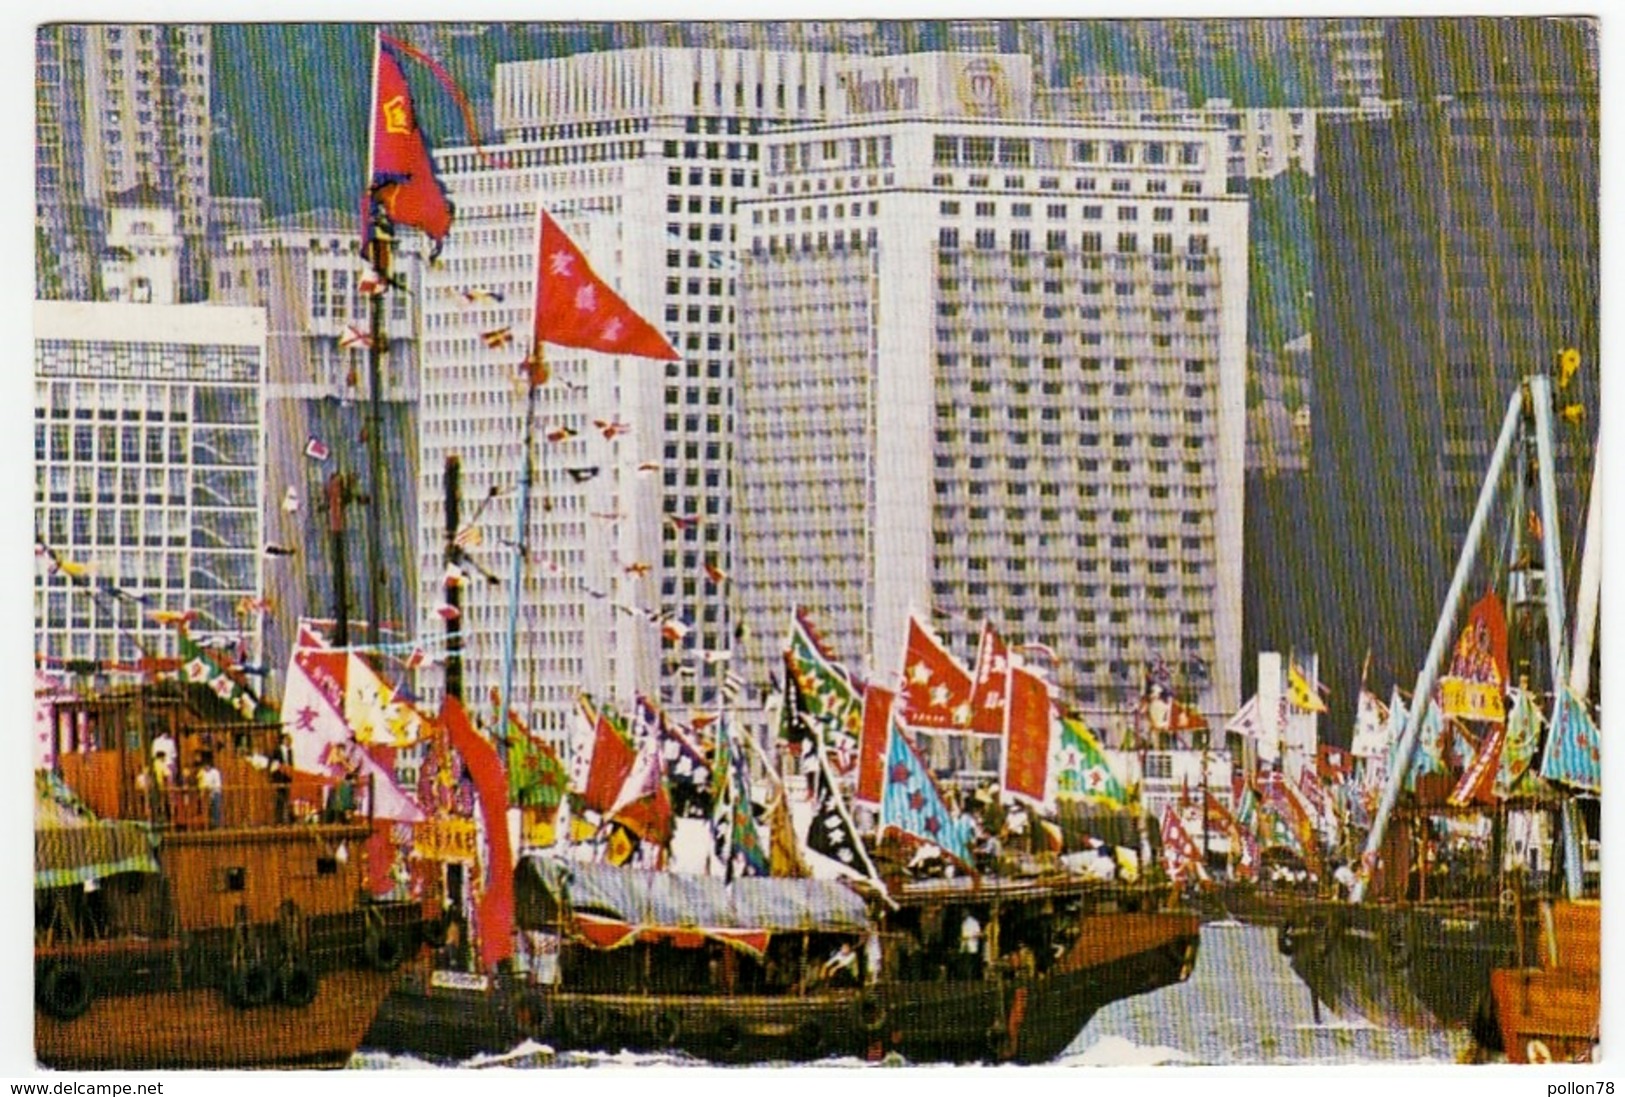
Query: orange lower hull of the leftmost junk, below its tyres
{"x": 199, "y": 1030}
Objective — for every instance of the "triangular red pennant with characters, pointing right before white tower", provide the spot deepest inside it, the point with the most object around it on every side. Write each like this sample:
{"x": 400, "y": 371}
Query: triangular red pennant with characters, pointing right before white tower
{"x": 574, "y": 306}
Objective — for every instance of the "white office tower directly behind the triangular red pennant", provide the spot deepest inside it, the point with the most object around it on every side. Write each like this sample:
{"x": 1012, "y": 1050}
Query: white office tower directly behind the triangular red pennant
{"x": 641, "y": 155}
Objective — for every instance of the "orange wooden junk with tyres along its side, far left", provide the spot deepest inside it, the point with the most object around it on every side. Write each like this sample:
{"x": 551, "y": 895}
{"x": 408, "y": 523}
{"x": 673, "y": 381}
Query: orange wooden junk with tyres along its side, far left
{"x": 168, "y": 939}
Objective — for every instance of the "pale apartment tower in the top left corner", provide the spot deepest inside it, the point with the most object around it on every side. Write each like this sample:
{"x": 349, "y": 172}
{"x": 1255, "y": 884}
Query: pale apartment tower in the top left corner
{"x": 118, "y": 108}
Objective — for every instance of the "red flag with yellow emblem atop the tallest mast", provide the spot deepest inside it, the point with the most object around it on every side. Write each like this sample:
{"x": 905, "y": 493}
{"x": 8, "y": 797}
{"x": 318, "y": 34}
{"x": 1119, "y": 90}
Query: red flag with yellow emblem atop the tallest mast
{"x": 401, "y": 171}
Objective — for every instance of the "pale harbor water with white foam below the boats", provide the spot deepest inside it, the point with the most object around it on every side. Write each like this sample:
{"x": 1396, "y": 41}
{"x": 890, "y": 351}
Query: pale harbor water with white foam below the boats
{"x": 1242, "y": 1005}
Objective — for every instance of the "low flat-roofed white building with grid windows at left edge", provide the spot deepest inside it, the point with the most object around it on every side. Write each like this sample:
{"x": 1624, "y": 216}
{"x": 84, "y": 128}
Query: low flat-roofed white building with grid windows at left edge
{"x": 149, "y": 446}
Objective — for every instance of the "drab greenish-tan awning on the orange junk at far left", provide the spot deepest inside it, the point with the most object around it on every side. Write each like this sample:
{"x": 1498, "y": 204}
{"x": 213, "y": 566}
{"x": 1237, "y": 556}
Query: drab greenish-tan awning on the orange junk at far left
{"x": 72, "y": 846}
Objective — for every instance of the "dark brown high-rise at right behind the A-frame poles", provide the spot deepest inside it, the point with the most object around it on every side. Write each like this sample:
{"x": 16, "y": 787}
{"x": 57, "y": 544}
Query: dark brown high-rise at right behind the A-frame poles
{"x": 1457, "y": 253}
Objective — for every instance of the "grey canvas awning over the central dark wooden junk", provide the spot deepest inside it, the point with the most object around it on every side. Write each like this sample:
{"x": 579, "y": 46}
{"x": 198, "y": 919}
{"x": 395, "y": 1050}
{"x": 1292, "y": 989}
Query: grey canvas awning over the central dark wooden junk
{"x": 622, "y": 903}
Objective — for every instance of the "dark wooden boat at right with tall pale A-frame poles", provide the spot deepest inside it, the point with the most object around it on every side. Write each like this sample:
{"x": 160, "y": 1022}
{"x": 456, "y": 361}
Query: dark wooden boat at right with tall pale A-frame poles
{"x": 1418, "y": 947}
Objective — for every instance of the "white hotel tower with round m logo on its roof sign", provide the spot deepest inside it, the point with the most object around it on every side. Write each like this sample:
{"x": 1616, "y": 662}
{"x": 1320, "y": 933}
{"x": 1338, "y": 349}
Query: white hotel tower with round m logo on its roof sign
{"x": 994, "y": 368}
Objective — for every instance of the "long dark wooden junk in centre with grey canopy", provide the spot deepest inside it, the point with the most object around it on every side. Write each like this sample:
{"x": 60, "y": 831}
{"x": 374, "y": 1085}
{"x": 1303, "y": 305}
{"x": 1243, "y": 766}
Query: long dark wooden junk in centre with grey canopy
{"x": 778, "y": 969}
